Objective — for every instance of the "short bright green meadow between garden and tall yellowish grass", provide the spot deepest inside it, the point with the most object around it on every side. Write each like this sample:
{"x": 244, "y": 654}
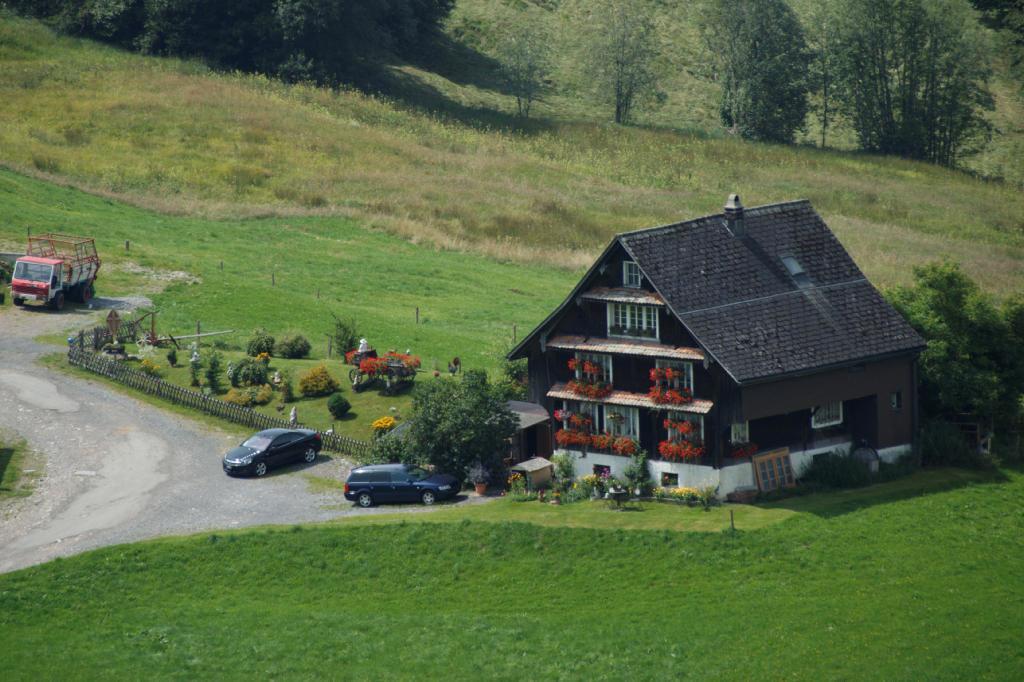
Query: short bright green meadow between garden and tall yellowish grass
{"x": 468, "y": 304}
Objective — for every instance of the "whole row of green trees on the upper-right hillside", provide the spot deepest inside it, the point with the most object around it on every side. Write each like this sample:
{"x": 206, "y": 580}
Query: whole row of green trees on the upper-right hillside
{"x": 910, "y": 76}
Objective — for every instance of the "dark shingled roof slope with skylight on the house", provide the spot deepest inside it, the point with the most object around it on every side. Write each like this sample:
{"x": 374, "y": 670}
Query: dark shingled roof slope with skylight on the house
{"x": 737, "y": 297}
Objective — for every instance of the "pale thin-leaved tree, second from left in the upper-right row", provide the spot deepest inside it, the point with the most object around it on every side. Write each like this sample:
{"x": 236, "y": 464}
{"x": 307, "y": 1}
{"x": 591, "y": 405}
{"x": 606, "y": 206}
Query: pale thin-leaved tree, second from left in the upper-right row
{"x": 621, "y": 56}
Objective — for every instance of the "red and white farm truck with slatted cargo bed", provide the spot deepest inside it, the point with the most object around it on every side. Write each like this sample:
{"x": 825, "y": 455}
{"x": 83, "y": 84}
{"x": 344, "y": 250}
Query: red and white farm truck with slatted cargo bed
{"x": 56, "y": 269}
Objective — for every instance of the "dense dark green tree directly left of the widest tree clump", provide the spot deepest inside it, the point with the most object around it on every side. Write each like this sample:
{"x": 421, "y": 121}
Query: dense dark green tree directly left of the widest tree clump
{"x": 761, "y": 61}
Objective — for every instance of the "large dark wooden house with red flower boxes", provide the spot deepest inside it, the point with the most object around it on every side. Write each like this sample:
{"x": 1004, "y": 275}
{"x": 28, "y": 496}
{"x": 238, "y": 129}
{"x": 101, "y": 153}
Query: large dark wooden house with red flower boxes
{"x": 733, "y": 349}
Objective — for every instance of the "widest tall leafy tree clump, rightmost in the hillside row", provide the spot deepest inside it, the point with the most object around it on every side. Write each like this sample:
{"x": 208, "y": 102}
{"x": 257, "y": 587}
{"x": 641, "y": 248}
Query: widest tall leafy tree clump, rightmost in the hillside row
{"x": 915, "y": 77}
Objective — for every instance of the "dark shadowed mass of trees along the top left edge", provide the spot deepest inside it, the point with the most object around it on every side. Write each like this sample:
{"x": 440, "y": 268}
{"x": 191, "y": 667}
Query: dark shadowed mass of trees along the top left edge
{"x": 325, "y": 41}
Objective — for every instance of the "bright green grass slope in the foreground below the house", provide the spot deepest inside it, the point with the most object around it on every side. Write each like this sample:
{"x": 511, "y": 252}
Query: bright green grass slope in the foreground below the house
{"x": 897, "y": 583}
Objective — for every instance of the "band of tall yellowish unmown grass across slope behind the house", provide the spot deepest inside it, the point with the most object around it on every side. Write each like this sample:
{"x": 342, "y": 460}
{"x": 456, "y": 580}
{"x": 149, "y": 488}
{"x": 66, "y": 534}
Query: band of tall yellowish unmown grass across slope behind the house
{"x": 173, "y": 137}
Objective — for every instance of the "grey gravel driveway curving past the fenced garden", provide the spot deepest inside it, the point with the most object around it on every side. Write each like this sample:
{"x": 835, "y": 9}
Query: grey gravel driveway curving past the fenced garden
{"x": 118, "y": 470}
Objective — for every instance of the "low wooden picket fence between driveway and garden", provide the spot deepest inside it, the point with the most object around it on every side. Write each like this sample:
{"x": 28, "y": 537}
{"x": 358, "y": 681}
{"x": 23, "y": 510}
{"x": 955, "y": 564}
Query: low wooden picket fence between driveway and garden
{"x": 142, "y": 381}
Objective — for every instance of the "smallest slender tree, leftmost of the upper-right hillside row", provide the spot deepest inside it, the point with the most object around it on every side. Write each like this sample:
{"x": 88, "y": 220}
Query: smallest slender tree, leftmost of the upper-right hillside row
{"x": 525, "y": 53}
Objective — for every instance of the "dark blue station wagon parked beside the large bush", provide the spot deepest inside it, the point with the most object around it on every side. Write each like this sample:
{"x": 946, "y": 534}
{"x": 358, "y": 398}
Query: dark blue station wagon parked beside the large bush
{"x": 397, "y": 483}
